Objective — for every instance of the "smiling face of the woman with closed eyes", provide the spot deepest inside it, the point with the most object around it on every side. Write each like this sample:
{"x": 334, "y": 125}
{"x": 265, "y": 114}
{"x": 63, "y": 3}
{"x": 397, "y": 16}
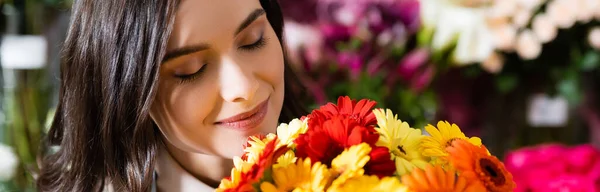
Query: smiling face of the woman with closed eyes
{"x": 221, "y": 79}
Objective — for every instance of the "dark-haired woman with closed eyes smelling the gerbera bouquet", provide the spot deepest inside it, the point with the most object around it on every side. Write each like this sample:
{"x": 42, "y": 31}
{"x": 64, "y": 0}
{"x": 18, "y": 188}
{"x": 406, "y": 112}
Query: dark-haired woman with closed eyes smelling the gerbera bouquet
{"x": 164, "y": 93}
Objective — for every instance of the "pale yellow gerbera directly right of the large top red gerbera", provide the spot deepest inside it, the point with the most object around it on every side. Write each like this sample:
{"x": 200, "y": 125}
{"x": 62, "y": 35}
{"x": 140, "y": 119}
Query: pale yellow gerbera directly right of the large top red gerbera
{"x": 403, "y": 141}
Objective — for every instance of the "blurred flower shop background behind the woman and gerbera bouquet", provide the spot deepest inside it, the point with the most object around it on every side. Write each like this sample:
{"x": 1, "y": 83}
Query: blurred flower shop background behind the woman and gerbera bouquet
{"x": 522, "y": 74}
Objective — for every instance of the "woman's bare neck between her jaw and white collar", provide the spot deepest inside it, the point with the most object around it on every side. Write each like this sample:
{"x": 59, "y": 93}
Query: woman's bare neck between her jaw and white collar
{"x": 209, "y": 169}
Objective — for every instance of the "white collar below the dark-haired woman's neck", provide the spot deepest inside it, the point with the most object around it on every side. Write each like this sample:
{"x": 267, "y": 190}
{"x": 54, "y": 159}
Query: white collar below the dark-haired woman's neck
{"x": 172, "y": 177}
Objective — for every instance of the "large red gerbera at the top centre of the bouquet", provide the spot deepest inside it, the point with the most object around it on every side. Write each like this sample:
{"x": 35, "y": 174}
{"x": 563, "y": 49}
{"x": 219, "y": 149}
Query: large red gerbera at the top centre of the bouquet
{"x": 323, "y": 142}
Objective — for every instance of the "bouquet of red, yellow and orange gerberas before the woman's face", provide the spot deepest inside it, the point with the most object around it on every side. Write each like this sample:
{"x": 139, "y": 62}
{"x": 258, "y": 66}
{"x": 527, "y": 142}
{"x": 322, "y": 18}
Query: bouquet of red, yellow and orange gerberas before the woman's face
{"x": 349, "y": 146}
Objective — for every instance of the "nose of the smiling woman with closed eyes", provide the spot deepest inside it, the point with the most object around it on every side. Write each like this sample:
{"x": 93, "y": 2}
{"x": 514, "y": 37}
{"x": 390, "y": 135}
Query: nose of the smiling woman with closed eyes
{"x": 238, "y": 83}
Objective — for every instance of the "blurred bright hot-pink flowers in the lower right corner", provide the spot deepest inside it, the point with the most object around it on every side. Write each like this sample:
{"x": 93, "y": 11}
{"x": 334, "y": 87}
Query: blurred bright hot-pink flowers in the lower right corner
{"x": 555, "y": 167}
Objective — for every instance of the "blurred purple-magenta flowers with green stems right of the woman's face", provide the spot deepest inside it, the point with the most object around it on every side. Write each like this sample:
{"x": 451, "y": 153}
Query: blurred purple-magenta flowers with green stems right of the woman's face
{"x": 364, "y": 49}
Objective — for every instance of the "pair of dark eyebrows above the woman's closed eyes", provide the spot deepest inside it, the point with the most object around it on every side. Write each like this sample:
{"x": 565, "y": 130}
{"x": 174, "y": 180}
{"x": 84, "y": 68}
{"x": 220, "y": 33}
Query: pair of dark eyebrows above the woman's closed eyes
{"x": 178, "y": 52}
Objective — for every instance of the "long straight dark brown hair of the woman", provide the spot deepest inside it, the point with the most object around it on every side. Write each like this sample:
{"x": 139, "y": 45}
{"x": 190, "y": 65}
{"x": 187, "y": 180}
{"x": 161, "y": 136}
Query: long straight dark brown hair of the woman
{"x": 108, "y": 81}
